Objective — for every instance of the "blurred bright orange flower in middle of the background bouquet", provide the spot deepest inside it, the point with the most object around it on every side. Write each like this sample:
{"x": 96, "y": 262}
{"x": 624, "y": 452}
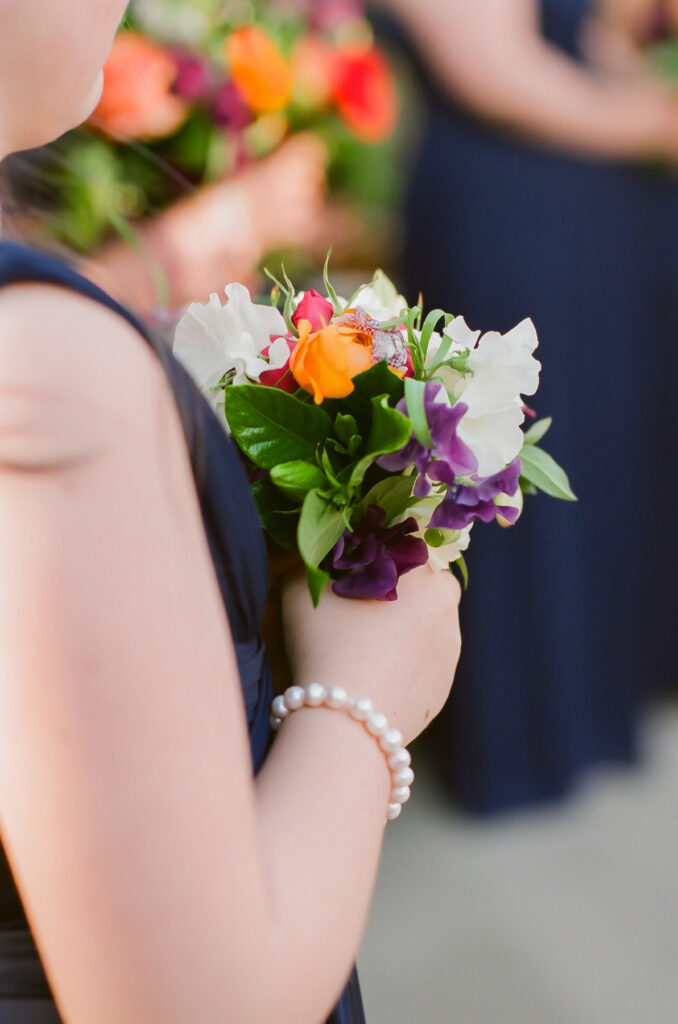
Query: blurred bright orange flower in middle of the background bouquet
{"x": 259, "y": 70}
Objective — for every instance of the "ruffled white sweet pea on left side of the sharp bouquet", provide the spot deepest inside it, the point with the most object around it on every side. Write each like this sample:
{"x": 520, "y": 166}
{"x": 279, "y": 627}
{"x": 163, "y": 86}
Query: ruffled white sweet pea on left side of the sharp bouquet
{"x": 213, "y": 339}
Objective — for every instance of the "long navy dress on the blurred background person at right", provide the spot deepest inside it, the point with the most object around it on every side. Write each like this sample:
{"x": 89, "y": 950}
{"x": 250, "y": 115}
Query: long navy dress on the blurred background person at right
{"x": 566, "y": 623}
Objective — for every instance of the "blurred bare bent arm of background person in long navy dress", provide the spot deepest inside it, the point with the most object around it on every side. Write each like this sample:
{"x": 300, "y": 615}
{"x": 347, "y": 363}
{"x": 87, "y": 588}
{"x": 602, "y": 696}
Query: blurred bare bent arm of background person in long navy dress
{"x": 492, "y": 58}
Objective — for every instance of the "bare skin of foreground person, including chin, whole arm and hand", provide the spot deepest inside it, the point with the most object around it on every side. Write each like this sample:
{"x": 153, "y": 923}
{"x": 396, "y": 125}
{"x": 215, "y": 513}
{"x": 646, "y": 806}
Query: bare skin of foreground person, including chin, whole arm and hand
{"x": 162, "y": 883}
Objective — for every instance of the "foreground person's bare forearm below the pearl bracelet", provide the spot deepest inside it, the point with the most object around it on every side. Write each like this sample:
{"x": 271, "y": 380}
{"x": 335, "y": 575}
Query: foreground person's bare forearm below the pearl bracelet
{"x": 323, "y": 797}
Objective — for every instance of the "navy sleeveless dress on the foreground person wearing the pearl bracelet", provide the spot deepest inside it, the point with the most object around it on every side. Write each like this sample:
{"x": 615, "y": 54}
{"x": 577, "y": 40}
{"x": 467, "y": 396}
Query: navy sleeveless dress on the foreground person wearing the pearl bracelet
{"x": 239, "y": 553}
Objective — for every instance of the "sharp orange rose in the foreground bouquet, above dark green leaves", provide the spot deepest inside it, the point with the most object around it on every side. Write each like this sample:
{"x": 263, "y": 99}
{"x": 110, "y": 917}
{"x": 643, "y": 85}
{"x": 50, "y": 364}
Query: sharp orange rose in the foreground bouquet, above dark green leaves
{"x": 325, "y": 362}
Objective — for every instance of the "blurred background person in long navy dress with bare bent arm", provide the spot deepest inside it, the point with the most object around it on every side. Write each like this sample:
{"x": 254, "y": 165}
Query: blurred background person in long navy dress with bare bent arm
{"x": 545, "y": 187}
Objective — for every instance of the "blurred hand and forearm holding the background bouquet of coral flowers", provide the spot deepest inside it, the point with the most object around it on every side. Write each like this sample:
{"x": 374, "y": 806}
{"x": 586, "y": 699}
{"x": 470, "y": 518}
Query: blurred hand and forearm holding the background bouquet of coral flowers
{"x": 221, "y": 233}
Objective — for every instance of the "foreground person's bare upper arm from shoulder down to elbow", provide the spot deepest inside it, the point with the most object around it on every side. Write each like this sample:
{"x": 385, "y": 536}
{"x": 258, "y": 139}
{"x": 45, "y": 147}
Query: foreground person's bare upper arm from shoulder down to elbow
{"x": 126, "y": 799}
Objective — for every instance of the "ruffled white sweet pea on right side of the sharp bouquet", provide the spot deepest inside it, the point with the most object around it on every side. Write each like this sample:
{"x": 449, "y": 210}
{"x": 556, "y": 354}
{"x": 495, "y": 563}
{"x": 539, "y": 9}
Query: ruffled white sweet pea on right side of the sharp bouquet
{"x": 504, "y": 369}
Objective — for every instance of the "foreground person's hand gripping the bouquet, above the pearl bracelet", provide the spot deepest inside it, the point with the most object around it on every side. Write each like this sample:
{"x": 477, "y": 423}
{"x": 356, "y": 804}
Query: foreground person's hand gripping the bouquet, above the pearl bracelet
{"x": 403, "y": 655}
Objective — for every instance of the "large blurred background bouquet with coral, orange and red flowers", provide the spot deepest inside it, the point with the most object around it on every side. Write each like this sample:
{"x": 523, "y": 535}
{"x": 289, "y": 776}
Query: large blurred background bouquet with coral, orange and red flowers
{"x": 196, "y": 91}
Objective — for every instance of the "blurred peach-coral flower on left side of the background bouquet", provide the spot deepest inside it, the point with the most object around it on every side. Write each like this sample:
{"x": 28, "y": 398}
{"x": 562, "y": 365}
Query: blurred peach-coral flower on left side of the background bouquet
{"x": 138, "y": 100}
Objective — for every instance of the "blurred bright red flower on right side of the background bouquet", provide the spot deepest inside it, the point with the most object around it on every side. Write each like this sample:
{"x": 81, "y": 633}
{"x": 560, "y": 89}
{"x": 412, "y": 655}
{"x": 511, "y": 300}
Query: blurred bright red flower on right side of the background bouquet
{"x": 365, "y": 95}
